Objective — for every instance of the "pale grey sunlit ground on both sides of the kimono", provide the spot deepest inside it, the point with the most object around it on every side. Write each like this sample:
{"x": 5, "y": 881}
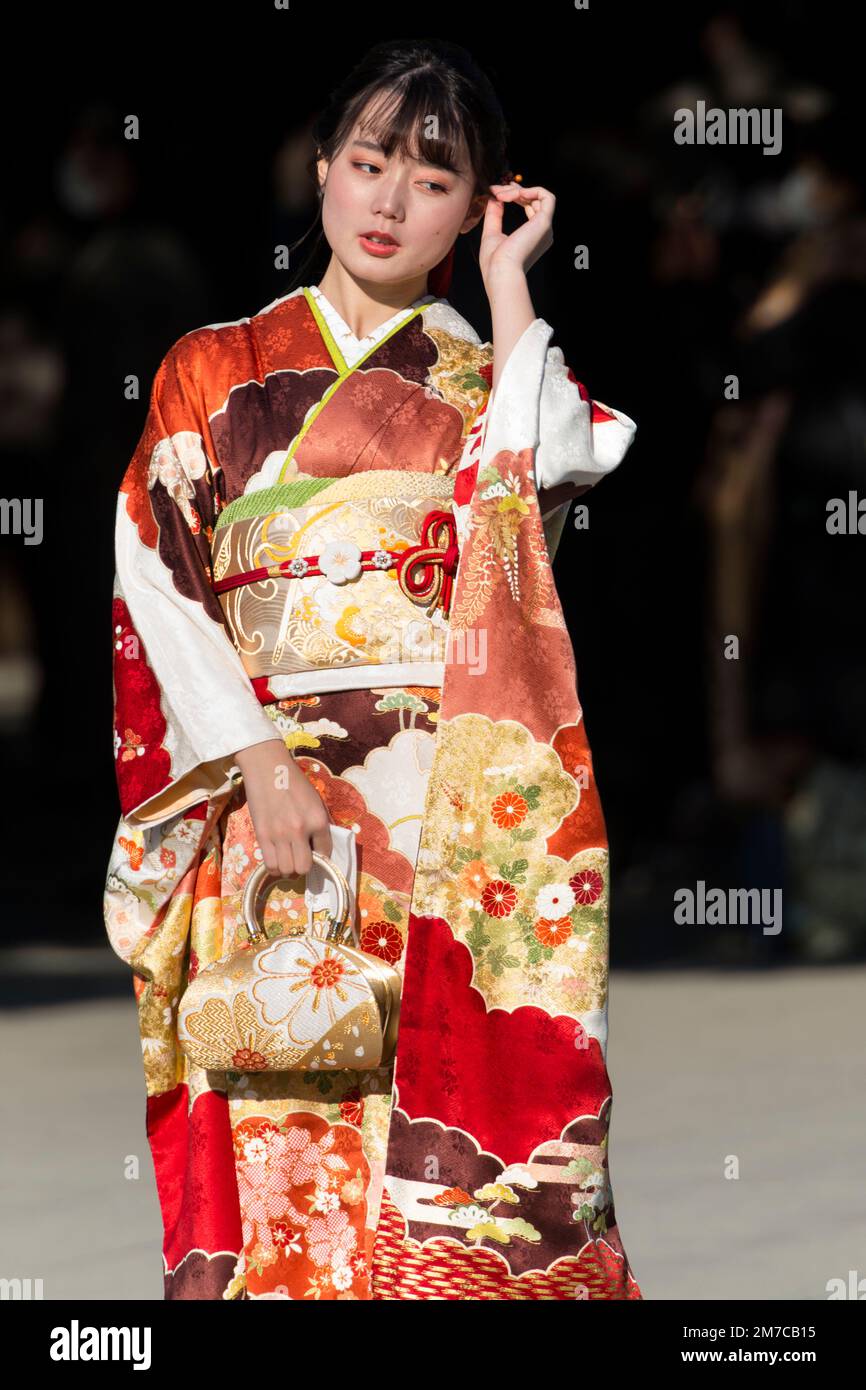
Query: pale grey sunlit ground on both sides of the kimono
{"x": 768, "y": 1067}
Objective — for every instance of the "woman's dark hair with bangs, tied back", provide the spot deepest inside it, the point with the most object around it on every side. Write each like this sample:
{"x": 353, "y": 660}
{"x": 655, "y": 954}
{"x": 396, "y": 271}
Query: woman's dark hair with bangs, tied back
{"x": 429, "y": 77}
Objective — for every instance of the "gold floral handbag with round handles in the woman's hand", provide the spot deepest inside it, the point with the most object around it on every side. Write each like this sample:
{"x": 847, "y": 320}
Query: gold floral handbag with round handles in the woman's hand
{"x": 293, "y": 1003}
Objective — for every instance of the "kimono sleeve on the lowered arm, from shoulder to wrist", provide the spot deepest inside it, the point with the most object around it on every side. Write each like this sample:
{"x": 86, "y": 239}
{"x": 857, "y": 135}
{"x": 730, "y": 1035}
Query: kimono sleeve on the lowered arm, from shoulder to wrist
{"x": 183, "y": 701}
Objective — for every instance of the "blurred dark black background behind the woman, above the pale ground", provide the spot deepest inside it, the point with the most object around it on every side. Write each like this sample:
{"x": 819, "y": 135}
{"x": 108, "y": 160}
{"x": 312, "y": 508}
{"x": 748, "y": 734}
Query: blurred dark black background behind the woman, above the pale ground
{"x": 705, "y": 261}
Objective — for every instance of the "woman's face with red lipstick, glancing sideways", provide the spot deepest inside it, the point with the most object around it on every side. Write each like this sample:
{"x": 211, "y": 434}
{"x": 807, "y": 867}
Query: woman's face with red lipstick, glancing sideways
{"x": 420, "y": 206}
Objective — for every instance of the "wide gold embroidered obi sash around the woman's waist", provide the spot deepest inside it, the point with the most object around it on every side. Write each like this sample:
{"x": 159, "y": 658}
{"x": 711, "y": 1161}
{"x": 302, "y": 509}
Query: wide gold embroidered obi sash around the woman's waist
{"x": 338, "y": 583}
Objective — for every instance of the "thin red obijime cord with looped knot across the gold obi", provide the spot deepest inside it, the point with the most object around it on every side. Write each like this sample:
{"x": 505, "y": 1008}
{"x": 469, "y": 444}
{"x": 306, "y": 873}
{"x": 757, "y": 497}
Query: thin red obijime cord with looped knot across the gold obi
{"x": 426, "y": 572}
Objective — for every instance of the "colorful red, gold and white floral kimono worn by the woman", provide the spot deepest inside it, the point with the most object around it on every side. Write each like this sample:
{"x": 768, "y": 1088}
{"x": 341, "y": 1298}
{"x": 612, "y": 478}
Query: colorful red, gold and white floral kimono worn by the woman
{"x": 270, "y": 534}
